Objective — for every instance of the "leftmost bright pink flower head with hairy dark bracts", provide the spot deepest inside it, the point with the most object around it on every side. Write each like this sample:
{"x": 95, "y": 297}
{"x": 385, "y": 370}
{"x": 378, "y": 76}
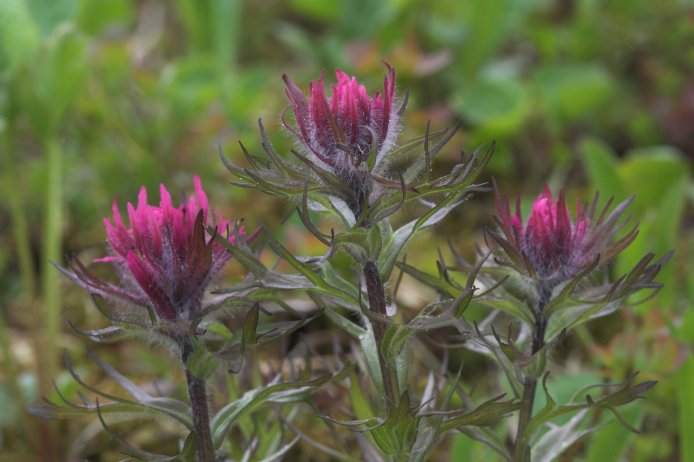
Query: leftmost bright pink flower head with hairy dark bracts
{"x": 165, "y": 257}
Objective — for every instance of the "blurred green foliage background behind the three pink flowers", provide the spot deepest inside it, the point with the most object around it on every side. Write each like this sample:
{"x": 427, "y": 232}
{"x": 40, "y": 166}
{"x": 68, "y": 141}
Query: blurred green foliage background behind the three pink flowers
{"x": 98, "y": 97}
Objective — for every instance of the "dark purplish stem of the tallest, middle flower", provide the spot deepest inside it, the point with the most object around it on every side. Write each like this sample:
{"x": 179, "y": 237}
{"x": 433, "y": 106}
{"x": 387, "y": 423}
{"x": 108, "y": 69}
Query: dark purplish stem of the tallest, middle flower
{"x": 377, "y": 304}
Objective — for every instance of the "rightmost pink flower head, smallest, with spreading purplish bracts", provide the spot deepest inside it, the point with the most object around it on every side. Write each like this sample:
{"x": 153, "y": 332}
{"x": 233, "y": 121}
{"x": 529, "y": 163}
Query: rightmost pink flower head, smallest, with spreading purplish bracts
{"x": 553, "y": 245}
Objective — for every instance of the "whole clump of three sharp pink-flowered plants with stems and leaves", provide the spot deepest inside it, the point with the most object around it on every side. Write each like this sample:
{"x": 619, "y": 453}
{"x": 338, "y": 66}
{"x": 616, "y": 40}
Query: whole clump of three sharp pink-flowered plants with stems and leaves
{"x": 167, "y": 255}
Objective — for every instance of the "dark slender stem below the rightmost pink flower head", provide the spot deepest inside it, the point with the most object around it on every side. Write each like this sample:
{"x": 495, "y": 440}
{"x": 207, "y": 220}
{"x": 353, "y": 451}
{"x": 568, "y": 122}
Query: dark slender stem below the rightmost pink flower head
{"x": 522, "y": 449}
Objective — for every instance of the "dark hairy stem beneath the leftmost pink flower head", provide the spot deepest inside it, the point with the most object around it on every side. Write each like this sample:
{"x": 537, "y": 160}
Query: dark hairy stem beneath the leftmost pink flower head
{"x": 199, "y": 407}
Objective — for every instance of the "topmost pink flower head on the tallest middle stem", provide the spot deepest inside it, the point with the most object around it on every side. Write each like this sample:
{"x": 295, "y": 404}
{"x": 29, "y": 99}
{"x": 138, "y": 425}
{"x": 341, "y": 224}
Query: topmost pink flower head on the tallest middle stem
{"x": 347, "y": 129}
